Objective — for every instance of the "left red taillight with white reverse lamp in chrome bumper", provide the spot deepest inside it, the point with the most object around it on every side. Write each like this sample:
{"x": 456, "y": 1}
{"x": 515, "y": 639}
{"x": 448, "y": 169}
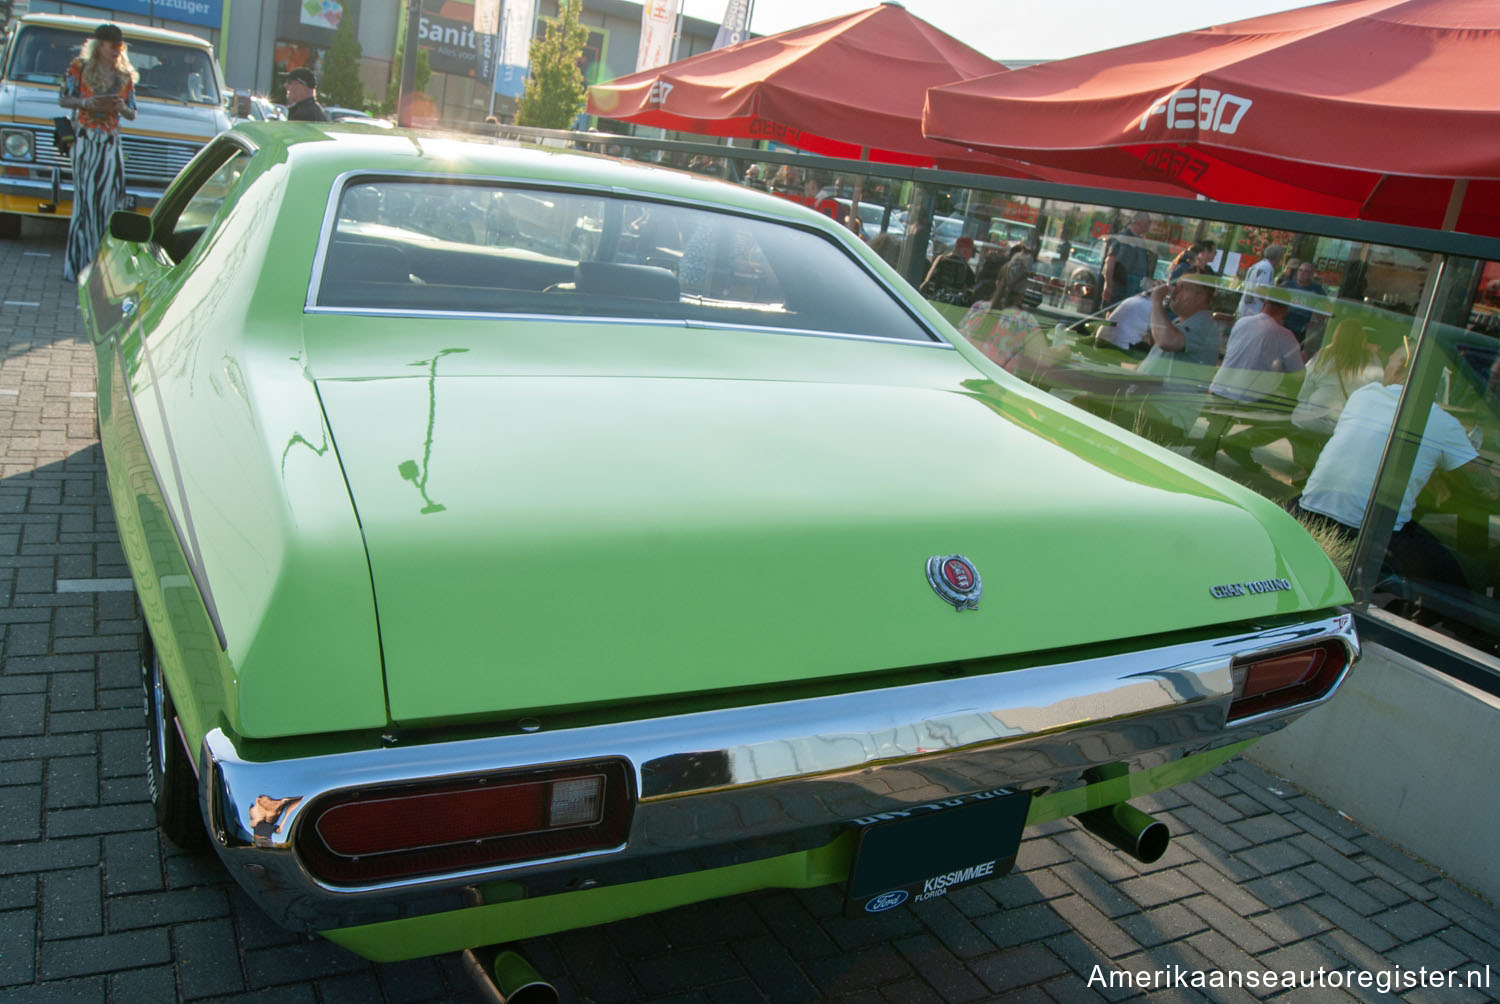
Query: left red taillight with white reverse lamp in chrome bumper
{"x": 419, "y": 829}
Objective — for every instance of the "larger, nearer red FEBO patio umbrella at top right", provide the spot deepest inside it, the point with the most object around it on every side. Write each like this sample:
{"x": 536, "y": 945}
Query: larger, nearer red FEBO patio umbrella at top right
{"x": 1384, "y": 110}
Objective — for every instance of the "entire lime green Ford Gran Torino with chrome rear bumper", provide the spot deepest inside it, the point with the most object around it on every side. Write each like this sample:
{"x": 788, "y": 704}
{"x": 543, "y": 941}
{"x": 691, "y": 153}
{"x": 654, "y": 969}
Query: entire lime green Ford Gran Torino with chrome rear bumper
{"x": 530, "y": 541}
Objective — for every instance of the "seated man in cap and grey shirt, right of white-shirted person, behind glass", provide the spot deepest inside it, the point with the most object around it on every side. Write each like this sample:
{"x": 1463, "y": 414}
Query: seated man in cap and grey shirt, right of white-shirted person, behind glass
{"x": 1184, "y": 355}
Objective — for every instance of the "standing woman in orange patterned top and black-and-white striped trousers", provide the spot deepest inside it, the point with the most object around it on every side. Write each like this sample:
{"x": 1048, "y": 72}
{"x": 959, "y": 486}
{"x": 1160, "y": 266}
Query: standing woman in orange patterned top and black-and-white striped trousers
{"x": 100, "y": 88}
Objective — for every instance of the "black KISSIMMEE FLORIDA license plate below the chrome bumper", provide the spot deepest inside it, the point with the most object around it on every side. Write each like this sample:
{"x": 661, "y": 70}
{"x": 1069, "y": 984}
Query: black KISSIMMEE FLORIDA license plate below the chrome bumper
{"x": 923, "y": 852}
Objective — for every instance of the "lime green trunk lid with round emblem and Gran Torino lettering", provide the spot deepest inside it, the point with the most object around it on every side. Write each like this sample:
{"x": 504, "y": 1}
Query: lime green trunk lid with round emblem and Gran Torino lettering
{"x": 553, "y": 541}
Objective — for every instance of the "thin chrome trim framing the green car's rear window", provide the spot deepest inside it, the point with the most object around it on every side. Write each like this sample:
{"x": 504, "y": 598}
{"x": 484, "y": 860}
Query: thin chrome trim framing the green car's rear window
{"x": 331, "y": 218}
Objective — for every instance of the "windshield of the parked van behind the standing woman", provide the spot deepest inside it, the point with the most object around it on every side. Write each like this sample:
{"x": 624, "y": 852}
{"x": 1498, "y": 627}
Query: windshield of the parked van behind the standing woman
{"x": 173, "y": 73}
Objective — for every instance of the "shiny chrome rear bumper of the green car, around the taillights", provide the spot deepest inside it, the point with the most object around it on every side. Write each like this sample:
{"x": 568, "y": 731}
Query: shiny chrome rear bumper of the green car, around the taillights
{"x": 742, "y": 784}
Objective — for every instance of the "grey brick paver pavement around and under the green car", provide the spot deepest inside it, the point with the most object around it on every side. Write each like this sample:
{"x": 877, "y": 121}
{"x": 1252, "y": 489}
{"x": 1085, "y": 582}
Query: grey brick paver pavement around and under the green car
{"x": 97, "y": 907}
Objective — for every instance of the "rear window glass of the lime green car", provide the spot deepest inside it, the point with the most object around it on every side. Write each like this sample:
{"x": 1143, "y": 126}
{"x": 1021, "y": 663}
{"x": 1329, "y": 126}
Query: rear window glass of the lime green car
{"x": 503, "y": 250}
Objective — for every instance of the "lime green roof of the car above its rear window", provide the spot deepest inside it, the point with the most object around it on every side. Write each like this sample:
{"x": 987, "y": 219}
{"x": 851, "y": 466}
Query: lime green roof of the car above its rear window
{"x": 350, "y": 148}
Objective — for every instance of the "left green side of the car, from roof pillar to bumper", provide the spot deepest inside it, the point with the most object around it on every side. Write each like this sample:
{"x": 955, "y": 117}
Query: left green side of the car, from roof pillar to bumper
{"x": 209, "y": 382}
